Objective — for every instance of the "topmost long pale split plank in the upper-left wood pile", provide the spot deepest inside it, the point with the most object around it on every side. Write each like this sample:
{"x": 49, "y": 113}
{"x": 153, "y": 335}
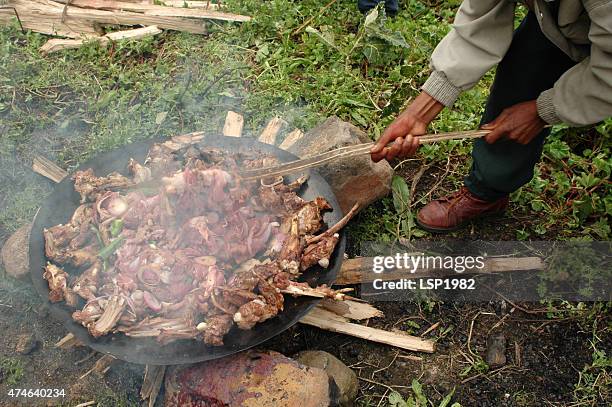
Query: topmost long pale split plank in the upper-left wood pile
{"x": 154, "y": 10}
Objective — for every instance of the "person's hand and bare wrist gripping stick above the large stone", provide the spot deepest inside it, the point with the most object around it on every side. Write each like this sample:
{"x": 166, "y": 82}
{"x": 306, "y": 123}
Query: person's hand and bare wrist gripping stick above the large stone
{"x": 410, "y": 123}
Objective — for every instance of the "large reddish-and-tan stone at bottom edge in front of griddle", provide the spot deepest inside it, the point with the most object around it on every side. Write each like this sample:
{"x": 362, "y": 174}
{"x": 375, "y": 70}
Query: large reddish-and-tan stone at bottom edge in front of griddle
{"x": 250, "y": 378}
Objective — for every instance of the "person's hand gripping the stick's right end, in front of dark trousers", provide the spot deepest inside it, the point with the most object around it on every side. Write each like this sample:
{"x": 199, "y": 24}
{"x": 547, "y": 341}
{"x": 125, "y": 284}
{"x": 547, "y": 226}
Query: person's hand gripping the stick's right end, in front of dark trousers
{"x": 519, "y": 123}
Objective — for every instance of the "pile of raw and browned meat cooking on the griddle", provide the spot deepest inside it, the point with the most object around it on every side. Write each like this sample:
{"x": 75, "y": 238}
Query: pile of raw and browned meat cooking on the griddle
{"x": 183, "y": 248}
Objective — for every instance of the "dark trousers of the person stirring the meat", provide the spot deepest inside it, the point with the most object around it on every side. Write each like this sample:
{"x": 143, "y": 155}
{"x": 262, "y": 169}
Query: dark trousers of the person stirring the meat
{"x": 532, "y": 65}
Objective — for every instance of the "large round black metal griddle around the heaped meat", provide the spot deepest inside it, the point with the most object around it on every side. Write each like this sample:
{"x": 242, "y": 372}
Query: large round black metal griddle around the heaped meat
{"x": 60, "y": 205}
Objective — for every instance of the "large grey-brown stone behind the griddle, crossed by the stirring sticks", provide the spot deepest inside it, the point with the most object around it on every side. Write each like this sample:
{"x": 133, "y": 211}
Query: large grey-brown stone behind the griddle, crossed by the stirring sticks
{"x": 354, "y": 179}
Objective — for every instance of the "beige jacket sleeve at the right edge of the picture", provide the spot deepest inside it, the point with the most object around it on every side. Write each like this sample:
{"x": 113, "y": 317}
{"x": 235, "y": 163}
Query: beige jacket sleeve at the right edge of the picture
{"x": 583, "y": 95}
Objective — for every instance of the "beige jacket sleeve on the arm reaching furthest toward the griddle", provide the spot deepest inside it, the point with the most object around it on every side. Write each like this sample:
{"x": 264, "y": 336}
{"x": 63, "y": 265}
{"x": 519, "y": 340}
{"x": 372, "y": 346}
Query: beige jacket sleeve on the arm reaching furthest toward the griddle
{"x": 479, "y": 38}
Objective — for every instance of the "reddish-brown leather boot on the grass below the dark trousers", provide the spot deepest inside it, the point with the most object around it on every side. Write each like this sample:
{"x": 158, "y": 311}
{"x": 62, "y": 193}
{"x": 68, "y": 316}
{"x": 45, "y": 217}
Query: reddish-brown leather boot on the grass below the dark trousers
{"x": 449, "y": 213}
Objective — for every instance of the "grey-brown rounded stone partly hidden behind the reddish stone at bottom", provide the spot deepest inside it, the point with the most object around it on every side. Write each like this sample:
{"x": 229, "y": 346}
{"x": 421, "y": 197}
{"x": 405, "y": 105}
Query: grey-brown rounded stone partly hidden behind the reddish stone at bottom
{"x": 343, "y": 376}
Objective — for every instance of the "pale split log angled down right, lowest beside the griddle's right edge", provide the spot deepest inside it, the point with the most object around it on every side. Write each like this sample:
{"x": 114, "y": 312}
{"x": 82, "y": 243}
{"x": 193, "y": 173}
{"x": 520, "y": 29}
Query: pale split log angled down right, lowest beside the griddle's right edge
{"x": 329, "y": 321}
